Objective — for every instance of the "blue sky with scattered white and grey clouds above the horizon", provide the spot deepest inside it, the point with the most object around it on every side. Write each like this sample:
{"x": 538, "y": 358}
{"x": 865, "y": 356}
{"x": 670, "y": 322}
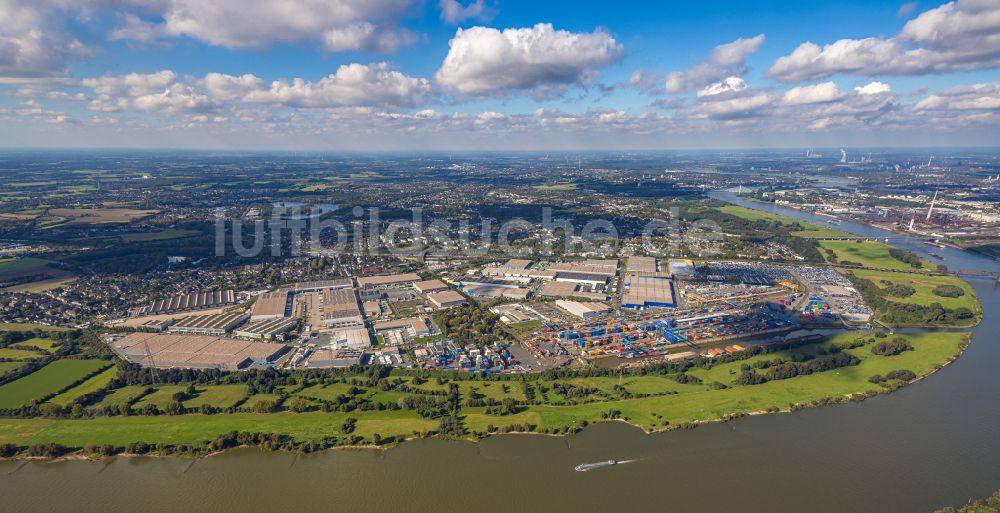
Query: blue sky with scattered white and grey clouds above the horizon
{"x": 444, "y": 74}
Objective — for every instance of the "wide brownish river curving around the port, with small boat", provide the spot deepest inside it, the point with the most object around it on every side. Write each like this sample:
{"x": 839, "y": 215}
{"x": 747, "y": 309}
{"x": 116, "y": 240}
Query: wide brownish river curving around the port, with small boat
{"x": 934, "y": 443}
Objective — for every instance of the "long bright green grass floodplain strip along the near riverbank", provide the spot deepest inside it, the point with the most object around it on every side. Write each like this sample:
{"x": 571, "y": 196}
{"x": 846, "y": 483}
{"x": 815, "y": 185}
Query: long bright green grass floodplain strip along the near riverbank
{"x": 672, "y": 405}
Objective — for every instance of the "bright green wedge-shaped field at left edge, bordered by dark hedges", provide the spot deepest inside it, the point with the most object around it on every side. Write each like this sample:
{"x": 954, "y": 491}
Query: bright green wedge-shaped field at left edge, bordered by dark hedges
{"x": 47, "y": 381}
